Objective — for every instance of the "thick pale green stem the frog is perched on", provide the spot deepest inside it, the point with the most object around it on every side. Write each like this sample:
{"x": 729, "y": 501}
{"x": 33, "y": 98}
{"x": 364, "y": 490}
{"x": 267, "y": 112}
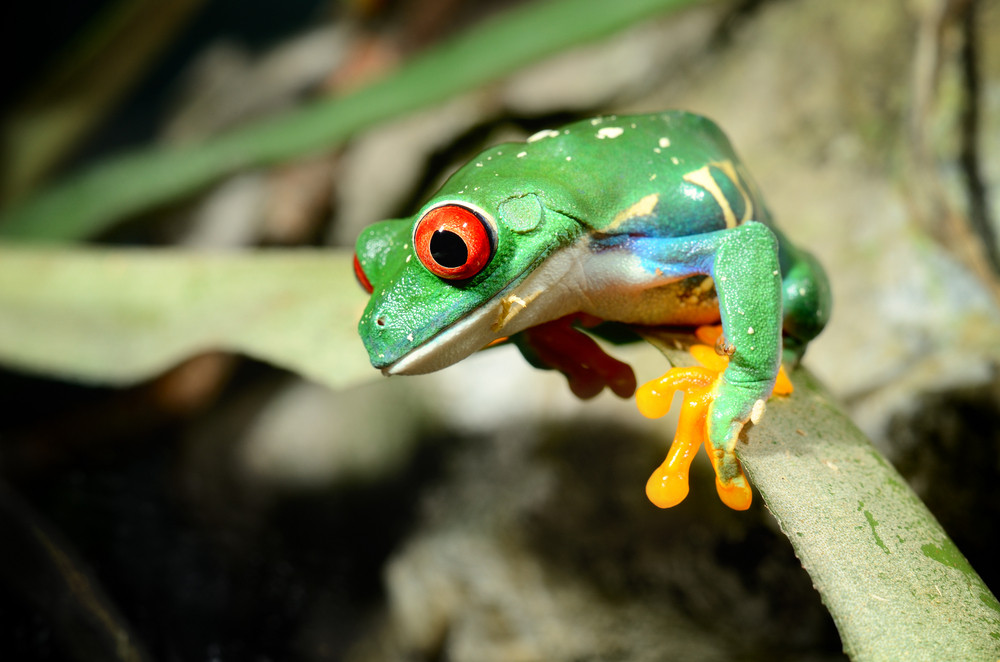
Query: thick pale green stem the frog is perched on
{"x": 896, "y": 585}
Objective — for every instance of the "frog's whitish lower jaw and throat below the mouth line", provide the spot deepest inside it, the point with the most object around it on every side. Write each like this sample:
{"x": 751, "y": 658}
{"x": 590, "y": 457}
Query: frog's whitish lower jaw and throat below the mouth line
{"x": 548, "y": 292}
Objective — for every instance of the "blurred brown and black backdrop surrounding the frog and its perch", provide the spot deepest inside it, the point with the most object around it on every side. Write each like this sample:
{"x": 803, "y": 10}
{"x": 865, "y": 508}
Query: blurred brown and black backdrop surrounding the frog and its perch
{"x": 228, "y": 508}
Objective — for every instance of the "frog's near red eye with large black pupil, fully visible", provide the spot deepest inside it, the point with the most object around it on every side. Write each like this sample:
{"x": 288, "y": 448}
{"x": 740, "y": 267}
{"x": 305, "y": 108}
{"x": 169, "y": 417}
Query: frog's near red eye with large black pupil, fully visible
{"x": 453, "y": 242}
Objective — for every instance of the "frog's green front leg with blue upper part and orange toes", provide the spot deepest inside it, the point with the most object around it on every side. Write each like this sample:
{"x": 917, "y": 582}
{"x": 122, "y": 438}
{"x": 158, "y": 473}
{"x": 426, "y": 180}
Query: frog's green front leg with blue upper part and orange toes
{"x": 733, "y": 385}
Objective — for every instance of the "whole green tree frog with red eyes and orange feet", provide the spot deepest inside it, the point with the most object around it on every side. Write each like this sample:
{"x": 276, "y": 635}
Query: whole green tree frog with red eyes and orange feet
{"x": 645, "y": 220}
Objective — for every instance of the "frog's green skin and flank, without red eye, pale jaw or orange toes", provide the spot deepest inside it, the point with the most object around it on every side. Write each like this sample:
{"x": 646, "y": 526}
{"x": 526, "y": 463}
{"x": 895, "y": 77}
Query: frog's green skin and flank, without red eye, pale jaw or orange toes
{"x": 649, "y": 205}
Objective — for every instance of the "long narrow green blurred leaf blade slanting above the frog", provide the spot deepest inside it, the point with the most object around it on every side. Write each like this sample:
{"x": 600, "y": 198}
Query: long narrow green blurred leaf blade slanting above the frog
{"x": 86, "y": 203}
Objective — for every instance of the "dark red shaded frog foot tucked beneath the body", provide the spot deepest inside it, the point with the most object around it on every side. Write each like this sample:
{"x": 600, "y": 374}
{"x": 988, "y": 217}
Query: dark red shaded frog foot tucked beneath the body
{"x": 588, "y": 369}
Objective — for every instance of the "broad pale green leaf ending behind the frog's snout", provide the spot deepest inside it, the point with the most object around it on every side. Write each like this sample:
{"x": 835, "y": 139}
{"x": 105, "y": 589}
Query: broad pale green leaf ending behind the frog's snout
{"x": 121, "y": 316}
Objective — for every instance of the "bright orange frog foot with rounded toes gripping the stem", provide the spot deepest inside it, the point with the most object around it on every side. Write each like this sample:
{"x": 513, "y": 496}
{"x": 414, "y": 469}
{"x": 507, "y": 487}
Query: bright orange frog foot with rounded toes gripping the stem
{"x": 669, "y": 483}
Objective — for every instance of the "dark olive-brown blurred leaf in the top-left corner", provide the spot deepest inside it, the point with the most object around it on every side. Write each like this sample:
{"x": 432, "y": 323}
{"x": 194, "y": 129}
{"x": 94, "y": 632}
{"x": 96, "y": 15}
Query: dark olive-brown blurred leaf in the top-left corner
{"x": 92, "y": 76}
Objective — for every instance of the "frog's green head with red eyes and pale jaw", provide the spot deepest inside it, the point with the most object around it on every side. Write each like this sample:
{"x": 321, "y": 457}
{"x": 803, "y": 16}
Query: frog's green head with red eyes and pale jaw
{"x": 465, "y": 271}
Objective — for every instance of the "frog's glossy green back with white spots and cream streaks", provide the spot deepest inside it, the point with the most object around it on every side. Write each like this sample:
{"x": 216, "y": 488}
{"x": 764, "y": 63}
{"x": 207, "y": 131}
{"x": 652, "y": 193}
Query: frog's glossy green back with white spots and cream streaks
{"x": 672, "y": 173}
